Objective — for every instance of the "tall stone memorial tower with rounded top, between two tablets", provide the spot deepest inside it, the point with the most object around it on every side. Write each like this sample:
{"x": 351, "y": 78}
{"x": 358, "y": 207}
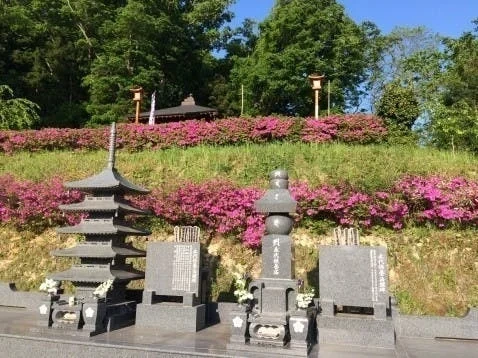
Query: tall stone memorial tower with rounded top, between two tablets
{"x": 274, "y": 324}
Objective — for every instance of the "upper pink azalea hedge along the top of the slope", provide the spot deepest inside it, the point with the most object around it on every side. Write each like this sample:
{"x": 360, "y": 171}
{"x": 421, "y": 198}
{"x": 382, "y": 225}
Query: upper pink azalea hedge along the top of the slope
{"x": 357, "y": 128}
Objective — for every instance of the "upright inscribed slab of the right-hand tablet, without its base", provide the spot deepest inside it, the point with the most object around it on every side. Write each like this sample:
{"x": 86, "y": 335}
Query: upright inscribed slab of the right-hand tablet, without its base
{"x": 354, "y": 275}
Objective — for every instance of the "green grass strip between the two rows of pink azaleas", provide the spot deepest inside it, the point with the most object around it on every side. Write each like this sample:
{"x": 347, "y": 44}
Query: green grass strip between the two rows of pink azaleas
{"x": 248, "y": 164}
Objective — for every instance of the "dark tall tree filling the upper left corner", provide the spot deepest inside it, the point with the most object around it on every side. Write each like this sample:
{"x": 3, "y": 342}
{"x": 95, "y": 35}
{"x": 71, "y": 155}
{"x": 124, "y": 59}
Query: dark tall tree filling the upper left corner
{"x": 47, "y": 47}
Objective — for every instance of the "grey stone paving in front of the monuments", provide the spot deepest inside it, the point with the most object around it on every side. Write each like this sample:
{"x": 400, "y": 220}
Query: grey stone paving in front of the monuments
{"x": 18, "y": 340}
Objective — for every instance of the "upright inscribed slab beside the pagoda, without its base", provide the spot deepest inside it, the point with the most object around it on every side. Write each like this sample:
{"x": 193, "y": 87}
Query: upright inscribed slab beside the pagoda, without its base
{"x": 172, "y": 268}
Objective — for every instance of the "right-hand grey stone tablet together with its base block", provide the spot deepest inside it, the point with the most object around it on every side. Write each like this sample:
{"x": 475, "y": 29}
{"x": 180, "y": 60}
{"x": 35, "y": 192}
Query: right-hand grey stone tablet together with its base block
{"x": 354, "y": 278}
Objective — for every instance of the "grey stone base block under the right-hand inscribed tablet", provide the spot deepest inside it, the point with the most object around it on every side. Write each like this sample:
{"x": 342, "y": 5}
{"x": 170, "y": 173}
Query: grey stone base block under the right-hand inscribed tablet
{"x": 358, "y": 330}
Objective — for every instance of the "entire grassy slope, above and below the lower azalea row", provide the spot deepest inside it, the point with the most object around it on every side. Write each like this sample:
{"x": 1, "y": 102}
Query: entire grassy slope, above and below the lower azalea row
{"x": 431, "y": 271}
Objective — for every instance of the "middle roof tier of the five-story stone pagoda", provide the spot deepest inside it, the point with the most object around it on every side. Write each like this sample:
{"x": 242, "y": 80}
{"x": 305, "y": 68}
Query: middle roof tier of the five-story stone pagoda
{"x": 102, "y": 227}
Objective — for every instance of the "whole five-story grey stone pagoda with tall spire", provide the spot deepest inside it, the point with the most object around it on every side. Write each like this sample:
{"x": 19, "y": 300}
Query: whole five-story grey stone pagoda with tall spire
{"x": 102, "y": 254}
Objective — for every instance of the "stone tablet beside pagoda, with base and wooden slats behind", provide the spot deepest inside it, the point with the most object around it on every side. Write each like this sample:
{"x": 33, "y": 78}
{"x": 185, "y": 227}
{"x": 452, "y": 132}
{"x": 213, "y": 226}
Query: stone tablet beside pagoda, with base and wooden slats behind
{"x": 173, "y": 286}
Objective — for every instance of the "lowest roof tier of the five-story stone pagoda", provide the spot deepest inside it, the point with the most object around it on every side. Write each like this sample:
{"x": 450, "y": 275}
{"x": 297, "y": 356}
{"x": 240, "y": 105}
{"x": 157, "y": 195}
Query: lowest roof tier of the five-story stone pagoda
{"x": 98, "y": 273}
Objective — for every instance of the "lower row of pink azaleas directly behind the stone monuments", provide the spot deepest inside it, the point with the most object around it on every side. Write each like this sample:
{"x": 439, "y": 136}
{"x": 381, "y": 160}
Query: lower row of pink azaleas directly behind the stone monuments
{"x": 221, "y": 207}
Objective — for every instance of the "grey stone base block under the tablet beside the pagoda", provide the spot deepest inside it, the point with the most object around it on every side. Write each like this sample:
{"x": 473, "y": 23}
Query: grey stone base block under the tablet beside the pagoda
{"x": 171, "y": 316}
